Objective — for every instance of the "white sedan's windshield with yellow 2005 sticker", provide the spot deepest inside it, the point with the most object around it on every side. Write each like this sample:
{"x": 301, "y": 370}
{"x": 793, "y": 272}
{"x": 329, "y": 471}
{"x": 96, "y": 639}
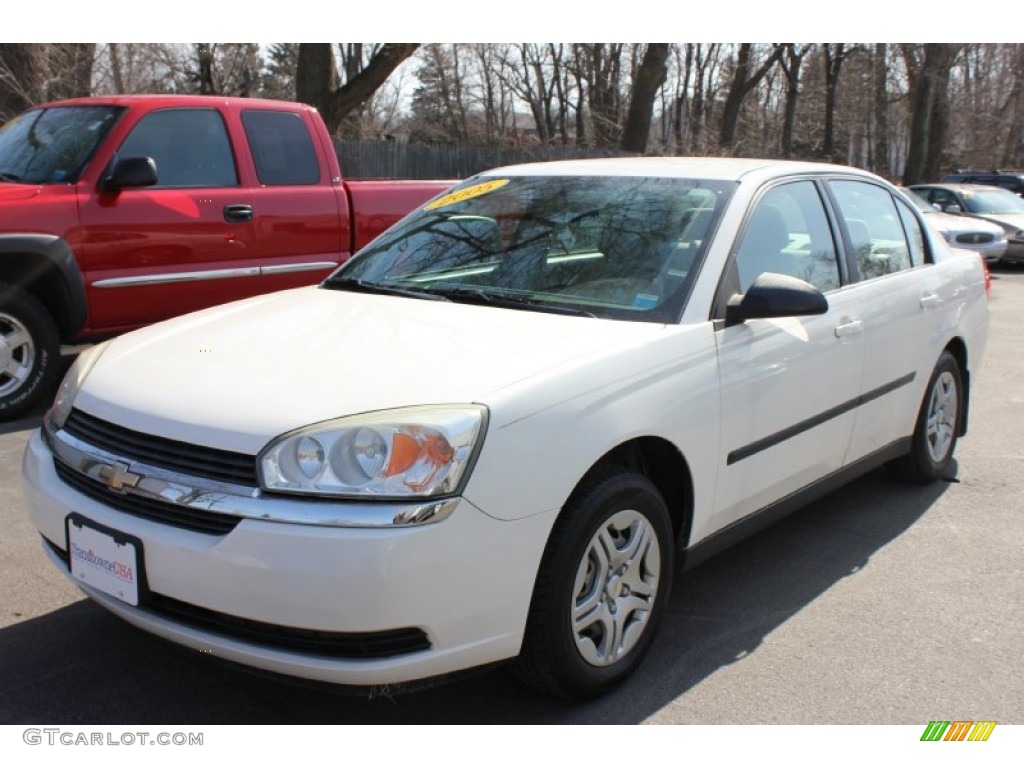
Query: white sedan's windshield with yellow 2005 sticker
{"x": 614, "y": 247}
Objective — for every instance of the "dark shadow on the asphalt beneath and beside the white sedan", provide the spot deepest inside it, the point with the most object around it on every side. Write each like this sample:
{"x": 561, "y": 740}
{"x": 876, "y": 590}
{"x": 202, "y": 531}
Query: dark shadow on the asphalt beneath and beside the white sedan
{"x": 81, "y": 665}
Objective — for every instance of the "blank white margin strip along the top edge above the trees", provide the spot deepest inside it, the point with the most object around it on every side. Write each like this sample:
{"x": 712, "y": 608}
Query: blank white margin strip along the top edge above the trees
{"x": 531, "y": 21}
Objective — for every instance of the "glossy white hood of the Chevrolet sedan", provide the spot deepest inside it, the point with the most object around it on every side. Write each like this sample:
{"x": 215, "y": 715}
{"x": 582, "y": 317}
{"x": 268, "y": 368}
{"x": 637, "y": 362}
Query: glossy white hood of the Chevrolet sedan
{"x": 235, "y": 376}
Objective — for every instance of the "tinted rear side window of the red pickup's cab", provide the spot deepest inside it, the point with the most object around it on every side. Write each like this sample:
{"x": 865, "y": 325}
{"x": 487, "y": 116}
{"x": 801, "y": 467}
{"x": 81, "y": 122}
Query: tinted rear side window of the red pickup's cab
{"x": 282, "y": 149}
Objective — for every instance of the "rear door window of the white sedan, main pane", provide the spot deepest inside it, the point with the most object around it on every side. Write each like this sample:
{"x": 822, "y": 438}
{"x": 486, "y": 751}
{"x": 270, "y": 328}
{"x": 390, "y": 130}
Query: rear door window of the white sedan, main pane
{"x": 874, "y": 225}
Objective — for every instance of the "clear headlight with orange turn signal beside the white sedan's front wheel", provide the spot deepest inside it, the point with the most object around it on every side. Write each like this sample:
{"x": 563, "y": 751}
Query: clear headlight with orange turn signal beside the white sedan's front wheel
{"x": 407, "y": 453}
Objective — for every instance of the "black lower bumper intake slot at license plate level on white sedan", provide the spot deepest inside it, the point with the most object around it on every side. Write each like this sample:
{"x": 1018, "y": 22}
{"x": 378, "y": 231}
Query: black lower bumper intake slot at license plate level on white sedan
{"x": 335, "y": 645}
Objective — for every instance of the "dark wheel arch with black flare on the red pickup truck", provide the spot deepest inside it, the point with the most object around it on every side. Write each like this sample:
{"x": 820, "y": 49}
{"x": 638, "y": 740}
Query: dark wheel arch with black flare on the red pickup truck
{"x": 46, "y": 267}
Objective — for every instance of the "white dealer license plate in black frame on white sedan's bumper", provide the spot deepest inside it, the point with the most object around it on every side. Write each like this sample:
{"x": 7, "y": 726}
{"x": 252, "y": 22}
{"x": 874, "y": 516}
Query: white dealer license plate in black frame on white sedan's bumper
{"x": 104, "y": 560}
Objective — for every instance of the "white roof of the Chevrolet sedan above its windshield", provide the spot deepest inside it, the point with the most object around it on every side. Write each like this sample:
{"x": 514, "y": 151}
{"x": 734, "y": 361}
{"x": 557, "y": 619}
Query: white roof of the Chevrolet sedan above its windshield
{"x": 727, "y": 169}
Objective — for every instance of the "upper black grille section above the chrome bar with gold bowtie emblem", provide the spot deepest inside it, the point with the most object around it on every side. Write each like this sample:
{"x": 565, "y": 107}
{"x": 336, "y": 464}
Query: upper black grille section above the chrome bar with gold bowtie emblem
{"x": 198, "y": 461}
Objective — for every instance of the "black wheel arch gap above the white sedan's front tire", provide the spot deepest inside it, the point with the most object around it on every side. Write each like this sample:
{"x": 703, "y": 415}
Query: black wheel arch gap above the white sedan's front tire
{"x": 662, "y": 463}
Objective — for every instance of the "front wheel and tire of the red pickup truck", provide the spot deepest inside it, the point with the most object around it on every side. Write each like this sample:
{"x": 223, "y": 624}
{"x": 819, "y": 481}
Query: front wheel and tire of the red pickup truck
{"x": 30, "y": 352}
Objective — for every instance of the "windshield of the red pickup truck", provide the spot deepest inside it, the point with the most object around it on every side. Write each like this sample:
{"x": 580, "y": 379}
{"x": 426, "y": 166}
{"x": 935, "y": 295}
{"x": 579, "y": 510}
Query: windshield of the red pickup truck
{"x": 52, "y": 146}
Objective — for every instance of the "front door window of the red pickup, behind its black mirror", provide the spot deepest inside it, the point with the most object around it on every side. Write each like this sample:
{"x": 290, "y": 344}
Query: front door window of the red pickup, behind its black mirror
{"x": 190, "y": 147}
